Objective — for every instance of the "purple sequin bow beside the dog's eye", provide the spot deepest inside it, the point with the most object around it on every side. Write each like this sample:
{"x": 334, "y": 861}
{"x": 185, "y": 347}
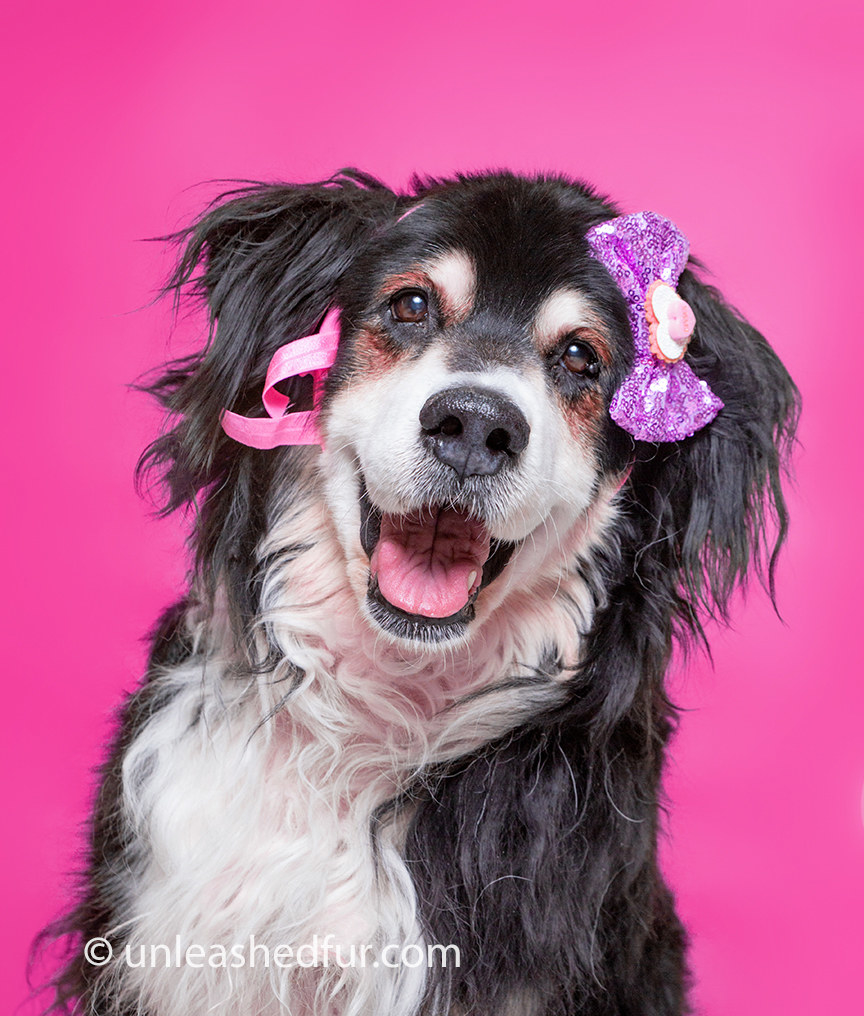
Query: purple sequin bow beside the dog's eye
{"x": 659, "y": 401}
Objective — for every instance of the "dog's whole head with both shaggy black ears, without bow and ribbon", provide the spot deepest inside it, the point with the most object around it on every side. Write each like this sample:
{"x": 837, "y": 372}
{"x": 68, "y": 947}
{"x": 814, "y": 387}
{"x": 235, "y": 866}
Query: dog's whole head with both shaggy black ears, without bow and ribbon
{"x": 468, "y": 450}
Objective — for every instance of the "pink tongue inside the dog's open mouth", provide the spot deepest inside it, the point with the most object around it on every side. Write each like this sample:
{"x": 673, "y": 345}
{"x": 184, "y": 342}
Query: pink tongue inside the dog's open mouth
{"x": 430, "y": 562}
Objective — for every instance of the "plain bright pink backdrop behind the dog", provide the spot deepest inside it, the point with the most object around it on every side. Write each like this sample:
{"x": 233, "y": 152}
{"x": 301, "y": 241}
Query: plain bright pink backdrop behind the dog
{"x": 740, "y": 120}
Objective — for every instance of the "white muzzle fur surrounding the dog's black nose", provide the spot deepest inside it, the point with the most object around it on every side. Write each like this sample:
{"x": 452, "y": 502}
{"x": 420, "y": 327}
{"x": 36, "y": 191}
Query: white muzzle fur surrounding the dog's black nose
{"x": 374, "y": 438}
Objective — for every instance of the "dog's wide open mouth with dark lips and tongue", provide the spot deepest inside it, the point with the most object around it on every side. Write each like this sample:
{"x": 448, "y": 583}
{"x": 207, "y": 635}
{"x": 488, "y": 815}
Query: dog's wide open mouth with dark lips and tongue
{"x": 427, "y": 568}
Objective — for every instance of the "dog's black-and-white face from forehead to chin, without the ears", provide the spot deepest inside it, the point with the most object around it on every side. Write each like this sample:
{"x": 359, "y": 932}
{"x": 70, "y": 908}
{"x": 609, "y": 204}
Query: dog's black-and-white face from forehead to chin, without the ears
{"x": 468, "y": 442}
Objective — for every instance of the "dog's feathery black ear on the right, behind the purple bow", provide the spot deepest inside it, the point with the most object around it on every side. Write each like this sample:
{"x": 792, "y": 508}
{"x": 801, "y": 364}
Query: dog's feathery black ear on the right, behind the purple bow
{"x": 711, "y": 507}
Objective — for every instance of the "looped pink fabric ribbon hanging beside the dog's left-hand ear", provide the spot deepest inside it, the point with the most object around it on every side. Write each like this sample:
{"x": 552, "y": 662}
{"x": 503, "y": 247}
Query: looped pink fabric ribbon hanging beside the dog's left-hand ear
{"x": 312, "y": 355}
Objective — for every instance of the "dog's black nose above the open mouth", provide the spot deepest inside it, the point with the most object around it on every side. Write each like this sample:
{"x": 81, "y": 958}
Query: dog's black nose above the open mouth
{"x": 474, "y": 430}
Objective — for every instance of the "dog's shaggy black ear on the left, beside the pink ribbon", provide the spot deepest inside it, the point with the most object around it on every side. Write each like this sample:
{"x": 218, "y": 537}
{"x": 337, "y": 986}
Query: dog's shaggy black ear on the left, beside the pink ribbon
{"x": 267, "y": 262}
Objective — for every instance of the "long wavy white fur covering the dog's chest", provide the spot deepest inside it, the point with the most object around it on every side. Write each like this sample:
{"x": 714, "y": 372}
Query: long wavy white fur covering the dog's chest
{"x": 261, "y": 829}
